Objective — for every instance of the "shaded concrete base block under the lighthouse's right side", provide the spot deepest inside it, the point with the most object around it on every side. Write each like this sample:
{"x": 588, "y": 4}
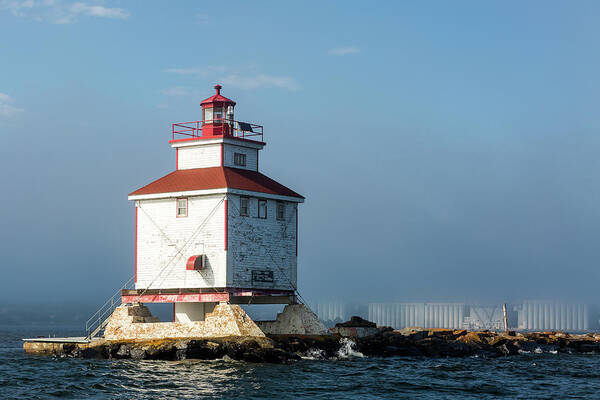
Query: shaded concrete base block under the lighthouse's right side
{"x": 296, "y": 319}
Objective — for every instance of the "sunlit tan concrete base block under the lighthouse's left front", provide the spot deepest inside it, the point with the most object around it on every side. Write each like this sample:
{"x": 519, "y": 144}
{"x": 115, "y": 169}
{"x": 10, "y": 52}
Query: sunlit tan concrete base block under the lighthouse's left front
{"x": 136, "y": 322}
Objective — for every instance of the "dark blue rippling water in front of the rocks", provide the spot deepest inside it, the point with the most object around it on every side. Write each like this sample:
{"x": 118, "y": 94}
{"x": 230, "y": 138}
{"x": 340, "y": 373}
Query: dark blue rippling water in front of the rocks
{"x": 528, "y": 376}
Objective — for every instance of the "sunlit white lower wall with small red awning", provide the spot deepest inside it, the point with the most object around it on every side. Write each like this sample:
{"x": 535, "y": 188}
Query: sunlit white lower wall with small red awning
{"x": 159, "y": 265}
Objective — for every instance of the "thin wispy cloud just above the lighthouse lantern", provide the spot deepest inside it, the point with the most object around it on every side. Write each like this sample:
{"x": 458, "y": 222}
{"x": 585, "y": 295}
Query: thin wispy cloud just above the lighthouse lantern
{"x": 244, "y": 77}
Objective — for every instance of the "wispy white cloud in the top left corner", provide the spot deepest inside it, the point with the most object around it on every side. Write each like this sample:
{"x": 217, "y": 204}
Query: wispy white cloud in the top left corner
{"x": 59, "y": 12}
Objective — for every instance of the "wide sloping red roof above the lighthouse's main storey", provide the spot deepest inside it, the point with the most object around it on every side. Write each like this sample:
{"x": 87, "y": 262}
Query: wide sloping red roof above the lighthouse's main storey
{"x": 184, "y": 180}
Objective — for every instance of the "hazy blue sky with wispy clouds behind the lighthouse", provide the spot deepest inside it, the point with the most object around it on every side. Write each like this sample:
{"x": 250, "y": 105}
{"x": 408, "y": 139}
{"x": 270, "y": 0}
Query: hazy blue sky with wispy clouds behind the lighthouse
{"x": 447, "y": 150}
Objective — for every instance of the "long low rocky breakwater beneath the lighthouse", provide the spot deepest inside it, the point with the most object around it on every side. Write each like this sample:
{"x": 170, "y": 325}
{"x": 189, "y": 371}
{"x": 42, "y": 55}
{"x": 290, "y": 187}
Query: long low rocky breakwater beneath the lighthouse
{"x": 354, "y": 338}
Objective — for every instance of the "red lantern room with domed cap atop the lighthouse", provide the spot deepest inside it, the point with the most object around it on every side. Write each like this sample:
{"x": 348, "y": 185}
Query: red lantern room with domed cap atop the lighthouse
{"x": 217, "y": 115}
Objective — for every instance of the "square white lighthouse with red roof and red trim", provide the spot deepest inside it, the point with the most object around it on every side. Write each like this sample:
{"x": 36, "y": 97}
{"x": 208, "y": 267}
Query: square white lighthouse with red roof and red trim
{"x": 216, "y": 229}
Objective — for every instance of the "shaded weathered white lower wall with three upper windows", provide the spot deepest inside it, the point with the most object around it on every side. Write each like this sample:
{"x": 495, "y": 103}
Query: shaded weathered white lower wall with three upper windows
{"x": 261, "y": 244}
